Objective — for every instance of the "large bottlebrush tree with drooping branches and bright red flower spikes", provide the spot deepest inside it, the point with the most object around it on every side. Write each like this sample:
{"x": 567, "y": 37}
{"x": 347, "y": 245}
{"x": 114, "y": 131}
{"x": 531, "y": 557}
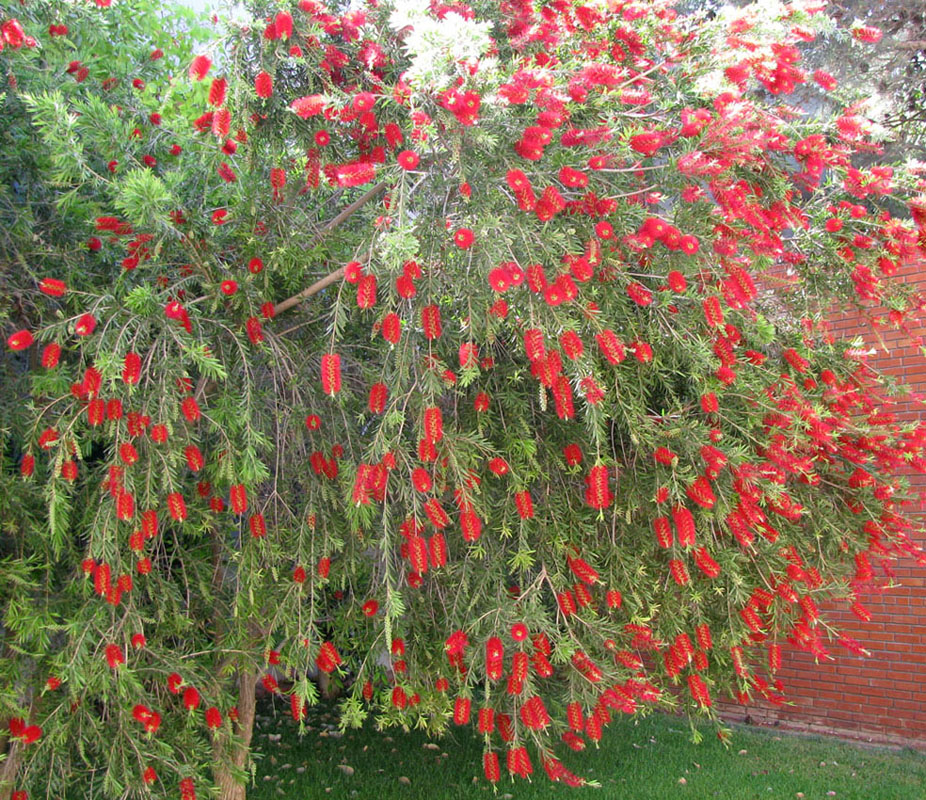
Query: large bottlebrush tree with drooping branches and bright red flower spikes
{"x": 475, "y": 357}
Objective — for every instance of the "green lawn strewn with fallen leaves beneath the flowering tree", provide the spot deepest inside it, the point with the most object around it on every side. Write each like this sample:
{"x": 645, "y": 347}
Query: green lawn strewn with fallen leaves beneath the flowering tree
{"x": 650, "y": 759}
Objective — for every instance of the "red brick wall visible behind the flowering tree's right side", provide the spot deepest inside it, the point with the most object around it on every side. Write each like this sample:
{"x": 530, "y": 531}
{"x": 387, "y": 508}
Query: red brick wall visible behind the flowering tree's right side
{"x": 880, "y": 698}
